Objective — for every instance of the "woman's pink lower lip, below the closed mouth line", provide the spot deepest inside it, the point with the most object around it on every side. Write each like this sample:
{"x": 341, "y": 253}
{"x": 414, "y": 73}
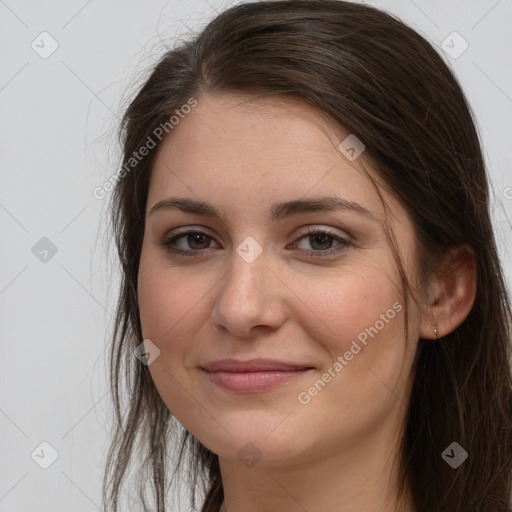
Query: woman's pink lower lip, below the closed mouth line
{"x": 254, "y": 381}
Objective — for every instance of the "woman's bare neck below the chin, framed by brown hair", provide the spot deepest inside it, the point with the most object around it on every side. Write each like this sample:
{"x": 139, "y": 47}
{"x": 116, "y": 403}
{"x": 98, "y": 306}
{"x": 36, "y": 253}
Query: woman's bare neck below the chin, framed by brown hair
{"x": 358, "y": 478}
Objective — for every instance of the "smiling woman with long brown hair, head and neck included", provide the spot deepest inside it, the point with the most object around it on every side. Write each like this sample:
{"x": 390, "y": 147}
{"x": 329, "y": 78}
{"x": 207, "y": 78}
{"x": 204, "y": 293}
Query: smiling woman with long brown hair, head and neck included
{"x": 311, "y": 291}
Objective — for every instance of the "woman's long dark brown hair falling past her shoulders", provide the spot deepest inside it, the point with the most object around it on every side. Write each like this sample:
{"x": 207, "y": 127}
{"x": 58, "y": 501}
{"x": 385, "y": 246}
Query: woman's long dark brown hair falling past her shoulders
{"x": 386, "y": 84}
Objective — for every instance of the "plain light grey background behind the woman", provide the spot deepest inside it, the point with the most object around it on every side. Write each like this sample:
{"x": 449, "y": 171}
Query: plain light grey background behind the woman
{"x": 57, "y": 143}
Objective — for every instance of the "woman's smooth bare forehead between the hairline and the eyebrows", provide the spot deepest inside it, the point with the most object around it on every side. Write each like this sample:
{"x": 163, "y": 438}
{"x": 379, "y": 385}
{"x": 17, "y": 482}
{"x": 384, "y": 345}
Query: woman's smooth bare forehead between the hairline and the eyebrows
{"x": 244, "y": 153}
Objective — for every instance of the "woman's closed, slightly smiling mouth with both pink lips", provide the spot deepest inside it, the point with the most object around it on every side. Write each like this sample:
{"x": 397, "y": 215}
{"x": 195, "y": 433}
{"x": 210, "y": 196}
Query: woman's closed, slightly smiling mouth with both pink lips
{"x": 253, "y": 376}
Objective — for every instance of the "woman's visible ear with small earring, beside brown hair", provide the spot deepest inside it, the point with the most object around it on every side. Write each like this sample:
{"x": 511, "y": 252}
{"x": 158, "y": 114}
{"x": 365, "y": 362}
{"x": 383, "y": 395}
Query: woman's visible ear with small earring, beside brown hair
{"x": 452, "y": 293}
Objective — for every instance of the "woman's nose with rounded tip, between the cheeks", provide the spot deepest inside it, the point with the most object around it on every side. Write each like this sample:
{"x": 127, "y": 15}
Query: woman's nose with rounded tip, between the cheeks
{"x": 250, "y": 298}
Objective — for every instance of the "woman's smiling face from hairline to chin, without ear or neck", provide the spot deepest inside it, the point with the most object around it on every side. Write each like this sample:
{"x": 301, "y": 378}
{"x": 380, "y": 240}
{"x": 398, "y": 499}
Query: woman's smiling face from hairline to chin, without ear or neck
{"x": 302, "y": 297}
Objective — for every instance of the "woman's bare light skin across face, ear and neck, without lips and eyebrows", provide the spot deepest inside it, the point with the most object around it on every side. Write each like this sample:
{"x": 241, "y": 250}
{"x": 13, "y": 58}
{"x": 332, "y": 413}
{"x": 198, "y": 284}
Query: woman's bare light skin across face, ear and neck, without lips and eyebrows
{"x": 339, "y": 451}
